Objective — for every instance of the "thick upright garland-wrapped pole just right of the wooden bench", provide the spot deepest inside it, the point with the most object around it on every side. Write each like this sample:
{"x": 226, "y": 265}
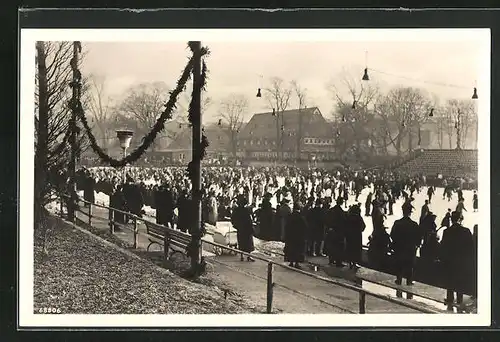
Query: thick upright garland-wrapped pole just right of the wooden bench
{"x": 196, "y": 158}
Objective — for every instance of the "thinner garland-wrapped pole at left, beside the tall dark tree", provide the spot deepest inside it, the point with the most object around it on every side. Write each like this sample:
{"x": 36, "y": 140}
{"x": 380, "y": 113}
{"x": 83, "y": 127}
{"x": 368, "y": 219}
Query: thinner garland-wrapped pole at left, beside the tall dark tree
{"x": 75, "y": 85}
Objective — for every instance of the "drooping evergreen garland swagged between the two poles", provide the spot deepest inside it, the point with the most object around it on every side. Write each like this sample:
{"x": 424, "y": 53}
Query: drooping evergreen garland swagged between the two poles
{"x": 148, "y": 139}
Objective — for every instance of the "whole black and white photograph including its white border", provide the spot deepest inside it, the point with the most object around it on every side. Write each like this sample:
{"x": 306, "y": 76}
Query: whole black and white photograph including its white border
{"x": 254, "y": 178}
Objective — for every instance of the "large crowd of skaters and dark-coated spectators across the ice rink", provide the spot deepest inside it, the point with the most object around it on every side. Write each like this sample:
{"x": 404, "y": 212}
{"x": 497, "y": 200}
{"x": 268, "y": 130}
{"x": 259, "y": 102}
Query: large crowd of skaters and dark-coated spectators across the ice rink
{"x": 306, "y": 209}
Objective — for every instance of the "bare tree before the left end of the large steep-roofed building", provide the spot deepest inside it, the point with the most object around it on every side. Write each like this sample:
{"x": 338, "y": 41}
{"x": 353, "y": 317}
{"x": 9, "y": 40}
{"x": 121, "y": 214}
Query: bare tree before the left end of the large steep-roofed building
{"x": 278, "y": 96}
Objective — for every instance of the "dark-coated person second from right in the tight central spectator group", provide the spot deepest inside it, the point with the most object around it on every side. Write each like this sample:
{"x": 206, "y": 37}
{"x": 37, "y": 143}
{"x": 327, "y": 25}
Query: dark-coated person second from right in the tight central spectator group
{"x": 335, "y": 238}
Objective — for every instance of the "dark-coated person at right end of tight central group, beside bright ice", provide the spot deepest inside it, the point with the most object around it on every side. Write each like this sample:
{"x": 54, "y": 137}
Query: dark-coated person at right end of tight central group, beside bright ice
{"x": 354, "y": 236}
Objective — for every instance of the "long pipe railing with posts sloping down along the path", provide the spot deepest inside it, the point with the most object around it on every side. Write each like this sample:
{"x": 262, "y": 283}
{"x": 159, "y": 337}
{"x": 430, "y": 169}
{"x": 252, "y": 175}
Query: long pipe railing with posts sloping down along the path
{"x": 270, "y": 263}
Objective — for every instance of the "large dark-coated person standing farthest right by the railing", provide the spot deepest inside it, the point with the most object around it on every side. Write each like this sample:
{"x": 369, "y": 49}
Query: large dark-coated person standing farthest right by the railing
{"x": 457, "y": 255}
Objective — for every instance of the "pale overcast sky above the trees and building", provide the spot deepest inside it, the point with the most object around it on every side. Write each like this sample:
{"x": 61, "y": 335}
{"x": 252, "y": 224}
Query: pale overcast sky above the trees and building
{"x": 235, "y": 67}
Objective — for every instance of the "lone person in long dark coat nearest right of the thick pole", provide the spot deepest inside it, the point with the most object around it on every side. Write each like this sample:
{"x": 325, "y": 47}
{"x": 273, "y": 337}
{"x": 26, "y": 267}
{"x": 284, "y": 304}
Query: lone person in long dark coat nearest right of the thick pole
{"x": 242, "y": 221}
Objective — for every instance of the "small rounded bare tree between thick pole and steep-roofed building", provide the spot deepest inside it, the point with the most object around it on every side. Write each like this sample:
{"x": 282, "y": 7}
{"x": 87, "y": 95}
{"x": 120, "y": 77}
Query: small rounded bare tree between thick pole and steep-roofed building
{"x": 232, "y": 111}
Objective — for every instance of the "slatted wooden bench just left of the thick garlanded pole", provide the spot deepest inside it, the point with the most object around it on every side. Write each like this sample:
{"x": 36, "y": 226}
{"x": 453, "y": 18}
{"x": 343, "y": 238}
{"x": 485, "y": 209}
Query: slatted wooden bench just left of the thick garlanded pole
{"x": 176, "y": 239}
